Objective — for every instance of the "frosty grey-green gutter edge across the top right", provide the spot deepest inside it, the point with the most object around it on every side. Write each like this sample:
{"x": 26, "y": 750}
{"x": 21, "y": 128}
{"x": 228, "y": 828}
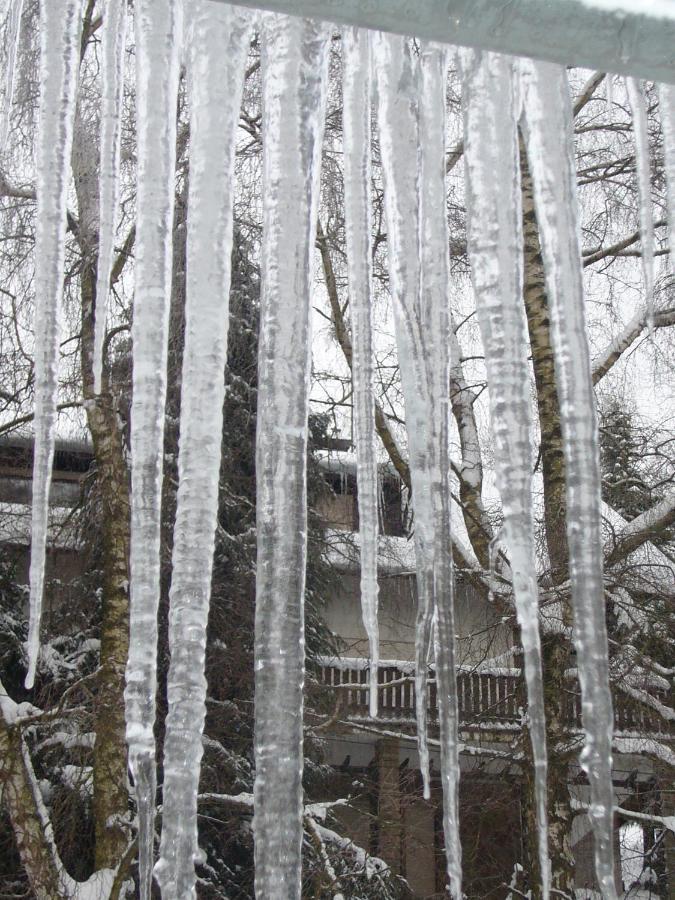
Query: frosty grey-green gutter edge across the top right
{"x": 634, "y": 37}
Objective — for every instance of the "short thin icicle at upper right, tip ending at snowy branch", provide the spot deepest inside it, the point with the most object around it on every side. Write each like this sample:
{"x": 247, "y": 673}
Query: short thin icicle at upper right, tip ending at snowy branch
{"x": 636, "y": 98}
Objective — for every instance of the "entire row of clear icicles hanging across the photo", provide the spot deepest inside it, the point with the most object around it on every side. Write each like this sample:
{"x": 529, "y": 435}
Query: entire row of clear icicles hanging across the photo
{"x": 499, "y": 94}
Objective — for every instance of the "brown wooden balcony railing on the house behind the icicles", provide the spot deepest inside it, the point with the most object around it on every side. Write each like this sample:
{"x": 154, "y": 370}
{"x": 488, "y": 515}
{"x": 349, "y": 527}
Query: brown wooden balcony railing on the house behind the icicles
{"x": 488, "y": 699}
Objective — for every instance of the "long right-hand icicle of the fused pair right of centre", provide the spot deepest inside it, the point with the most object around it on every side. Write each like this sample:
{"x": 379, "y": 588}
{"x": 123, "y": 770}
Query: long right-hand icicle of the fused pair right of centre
{"x": 434, "y": 313}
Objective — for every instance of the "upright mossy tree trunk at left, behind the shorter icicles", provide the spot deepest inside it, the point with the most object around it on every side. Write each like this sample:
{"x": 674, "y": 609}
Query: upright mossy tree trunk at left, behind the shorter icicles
{"x": 111, "y": 797}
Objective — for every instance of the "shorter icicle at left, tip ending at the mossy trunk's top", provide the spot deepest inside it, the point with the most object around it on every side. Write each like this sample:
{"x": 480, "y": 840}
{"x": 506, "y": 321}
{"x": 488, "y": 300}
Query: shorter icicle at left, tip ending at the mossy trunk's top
{"x": 112, "y": 67}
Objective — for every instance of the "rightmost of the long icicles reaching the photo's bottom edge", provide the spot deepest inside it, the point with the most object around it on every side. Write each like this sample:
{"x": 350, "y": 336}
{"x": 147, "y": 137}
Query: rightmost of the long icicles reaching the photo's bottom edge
{"x": 548, "y": 124}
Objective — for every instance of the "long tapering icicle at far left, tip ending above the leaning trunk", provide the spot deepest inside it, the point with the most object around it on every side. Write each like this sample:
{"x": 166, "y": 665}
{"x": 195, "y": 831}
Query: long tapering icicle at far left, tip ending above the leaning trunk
{"x": 59, "y": 60}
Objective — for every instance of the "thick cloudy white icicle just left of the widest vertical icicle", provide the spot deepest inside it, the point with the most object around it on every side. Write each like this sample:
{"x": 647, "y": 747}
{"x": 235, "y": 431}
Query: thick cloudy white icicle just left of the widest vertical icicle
{"x": 219, "y": 36}
